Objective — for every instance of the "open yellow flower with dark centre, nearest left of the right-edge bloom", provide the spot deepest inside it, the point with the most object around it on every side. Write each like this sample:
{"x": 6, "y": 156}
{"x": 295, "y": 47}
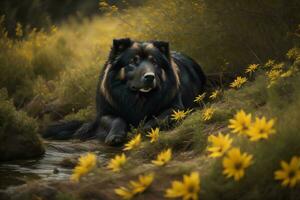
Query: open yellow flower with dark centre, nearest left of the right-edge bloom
{"x": 235, "y": 163}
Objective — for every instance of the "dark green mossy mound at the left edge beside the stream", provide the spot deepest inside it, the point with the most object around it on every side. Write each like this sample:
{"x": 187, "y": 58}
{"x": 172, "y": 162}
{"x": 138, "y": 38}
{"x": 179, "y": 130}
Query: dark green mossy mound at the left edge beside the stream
{"x": 18, "y": 133}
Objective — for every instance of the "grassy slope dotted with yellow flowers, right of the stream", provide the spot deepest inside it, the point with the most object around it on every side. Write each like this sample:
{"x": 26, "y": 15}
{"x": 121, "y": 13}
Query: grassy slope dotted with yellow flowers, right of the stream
{"x": 231, "y": 149}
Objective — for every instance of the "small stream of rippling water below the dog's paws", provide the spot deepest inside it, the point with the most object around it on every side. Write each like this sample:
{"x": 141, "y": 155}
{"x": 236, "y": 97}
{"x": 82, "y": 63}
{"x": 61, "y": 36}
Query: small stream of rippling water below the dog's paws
{"x": 56, "y": 163}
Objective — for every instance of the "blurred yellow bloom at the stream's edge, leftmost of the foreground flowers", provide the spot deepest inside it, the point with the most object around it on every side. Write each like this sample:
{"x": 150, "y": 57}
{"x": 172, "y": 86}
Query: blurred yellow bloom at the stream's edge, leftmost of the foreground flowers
{"x": 85, "y": 165}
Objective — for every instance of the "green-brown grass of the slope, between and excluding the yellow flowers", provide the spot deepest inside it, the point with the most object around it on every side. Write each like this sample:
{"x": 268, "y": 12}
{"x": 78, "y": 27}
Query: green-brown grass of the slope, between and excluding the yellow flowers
{"x": 188, "y": 140}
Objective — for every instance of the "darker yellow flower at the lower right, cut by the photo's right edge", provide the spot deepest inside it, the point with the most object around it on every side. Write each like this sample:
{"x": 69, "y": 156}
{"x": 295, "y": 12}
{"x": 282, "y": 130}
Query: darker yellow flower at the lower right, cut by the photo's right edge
{"x": 290, "y": 172}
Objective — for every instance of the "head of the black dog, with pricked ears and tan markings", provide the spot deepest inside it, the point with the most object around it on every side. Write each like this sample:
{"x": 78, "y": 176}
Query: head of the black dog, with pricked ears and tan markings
{"x": 142, "y": 66}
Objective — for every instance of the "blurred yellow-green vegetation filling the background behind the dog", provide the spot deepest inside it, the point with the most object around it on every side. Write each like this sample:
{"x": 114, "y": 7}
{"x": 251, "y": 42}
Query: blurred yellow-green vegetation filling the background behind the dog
{"x": 52, "y": 51}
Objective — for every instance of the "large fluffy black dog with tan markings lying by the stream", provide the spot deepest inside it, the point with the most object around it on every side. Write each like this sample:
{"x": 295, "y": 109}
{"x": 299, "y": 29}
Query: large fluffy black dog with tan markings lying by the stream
{"x": 141, "y": 81}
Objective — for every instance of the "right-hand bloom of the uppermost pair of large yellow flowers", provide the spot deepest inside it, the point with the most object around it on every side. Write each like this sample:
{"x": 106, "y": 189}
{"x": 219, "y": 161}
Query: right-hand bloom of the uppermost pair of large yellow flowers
{"x": 261, "y": 129}
